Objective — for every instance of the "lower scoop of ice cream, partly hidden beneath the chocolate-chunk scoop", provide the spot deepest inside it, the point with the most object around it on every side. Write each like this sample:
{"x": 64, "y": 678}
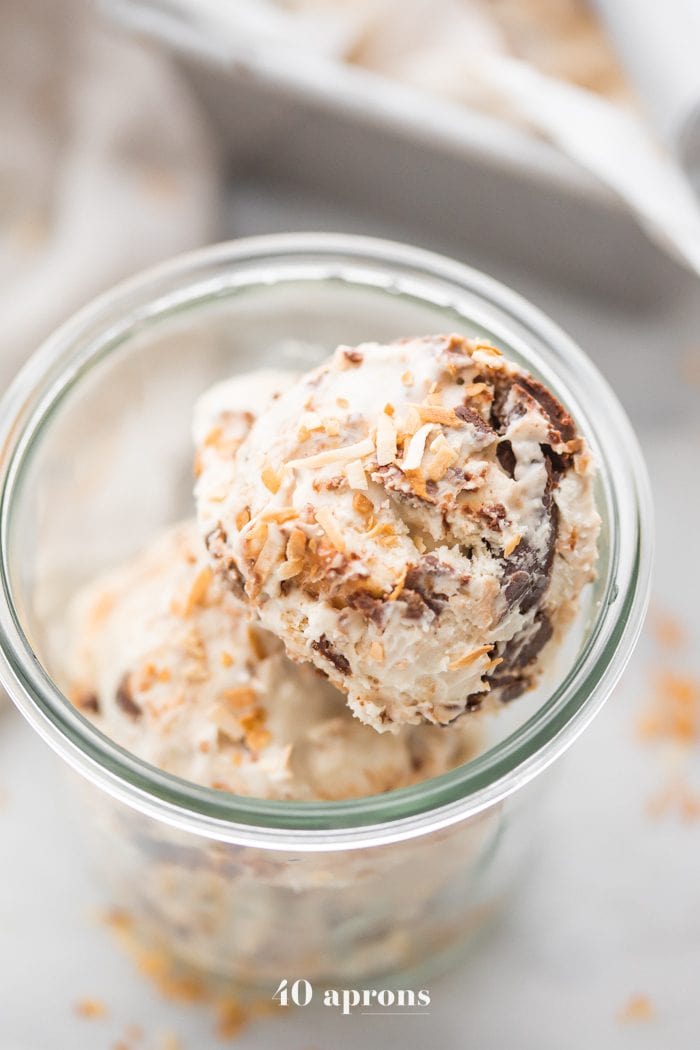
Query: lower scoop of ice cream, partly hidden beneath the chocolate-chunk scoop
{"x": 164, "y": 661}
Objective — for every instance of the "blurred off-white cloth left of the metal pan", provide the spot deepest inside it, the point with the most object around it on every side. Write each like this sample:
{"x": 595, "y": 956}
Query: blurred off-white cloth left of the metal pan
{"x": 107, "y": 166}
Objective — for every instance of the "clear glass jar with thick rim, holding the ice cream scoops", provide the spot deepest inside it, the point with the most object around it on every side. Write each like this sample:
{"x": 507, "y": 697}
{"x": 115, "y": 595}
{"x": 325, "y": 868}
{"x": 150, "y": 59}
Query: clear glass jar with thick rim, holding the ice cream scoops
{"x": 96, "y": 458}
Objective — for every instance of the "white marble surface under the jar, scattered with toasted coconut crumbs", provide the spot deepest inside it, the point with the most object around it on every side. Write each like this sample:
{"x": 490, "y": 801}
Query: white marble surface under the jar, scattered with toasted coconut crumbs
{"x": 610, "y": 910}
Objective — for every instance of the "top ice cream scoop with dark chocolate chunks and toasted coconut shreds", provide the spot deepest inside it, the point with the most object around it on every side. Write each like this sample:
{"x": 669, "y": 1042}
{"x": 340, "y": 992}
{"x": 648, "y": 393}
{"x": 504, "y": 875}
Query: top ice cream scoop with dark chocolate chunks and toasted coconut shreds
{"x": 416, "y": 519}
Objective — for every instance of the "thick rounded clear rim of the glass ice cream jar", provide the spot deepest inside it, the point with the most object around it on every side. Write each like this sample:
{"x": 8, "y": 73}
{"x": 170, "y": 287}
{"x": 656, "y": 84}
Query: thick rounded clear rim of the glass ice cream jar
{"x": 100, "y": 329}
